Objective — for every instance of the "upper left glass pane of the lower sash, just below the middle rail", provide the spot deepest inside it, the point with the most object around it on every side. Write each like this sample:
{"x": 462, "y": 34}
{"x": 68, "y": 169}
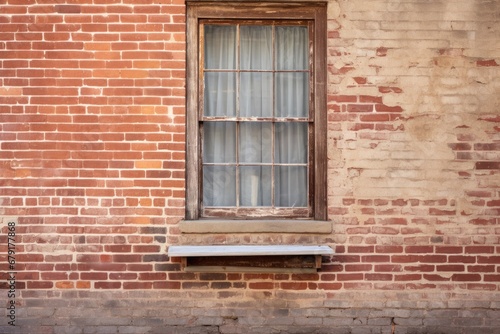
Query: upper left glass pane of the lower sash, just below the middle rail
{"x": 219, "y": 142}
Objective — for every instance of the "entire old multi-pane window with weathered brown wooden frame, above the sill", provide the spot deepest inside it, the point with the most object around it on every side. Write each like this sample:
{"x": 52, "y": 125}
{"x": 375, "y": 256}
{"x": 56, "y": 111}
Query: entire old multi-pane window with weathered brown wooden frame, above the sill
{"x": 256, "y": 124}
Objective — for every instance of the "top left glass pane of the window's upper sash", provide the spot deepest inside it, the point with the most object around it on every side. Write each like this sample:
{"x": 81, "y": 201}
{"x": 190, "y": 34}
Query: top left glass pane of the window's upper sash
{"x": 220, "y": 47}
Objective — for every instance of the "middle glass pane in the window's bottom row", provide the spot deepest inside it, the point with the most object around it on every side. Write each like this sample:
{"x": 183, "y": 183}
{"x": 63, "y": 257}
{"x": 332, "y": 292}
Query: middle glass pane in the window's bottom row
{"x": 255, "y": 186}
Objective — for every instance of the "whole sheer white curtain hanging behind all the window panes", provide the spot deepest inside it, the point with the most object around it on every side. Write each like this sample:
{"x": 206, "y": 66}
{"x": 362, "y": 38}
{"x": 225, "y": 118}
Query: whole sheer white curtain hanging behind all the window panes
{"x": 248, "y": 162}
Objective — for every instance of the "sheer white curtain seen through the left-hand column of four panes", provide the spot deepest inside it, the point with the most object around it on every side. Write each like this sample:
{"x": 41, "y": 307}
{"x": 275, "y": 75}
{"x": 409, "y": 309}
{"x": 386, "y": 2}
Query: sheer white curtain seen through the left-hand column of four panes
{"x": 219, "y": 138}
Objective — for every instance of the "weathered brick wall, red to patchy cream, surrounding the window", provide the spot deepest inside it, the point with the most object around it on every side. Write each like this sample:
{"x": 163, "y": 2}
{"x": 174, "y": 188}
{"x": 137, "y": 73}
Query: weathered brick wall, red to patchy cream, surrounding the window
{"x": 92, "y": 110}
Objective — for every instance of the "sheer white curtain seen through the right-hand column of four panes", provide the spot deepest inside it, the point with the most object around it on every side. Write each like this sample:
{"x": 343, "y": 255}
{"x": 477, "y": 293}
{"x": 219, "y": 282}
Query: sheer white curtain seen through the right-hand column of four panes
{"x": 292, "y": 100}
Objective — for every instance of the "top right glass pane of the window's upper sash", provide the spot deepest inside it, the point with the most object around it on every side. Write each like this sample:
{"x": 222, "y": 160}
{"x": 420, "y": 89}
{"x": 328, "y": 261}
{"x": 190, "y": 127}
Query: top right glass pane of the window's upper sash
{"x": 292, "y": 44}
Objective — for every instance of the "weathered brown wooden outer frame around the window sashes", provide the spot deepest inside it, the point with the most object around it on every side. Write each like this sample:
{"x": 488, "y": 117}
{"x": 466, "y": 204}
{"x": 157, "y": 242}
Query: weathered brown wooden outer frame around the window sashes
{"x": 244, "y": 10}
